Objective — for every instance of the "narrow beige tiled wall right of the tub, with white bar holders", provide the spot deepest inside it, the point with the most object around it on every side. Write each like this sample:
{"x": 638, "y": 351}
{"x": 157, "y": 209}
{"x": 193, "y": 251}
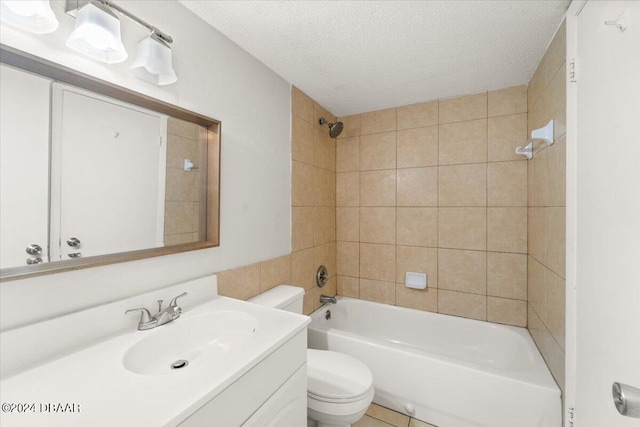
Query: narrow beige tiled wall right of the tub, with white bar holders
{"x": 547, "y": 207}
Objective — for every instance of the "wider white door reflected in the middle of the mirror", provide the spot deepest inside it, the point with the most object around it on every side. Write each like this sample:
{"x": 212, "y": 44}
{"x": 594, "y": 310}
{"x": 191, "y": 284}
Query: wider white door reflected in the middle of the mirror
{"x": 108, "y": 175}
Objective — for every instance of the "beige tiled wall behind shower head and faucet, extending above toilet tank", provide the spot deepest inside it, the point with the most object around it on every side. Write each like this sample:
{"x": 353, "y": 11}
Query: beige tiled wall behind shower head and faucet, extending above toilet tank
{"x": 313, "y": 214}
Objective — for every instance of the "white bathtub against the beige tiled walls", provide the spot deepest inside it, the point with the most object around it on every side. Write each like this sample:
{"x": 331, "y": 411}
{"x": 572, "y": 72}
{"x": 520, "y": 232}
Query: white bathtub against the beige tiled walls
{"x": 445, "y": 370}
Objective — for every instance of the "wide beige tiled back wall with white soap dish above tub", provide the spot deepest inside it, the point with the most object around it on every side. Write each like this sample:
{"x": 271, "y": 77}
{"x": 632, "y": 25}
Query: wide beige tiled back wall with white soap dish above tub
{"x": 436, "y": 188}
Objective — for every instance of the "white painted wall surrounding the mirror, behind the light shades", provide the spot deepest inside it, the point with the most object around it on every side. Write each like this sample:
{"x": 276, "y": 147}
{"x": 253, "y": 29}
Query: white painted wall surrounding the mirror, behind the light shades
{"x": 218, "y": 79}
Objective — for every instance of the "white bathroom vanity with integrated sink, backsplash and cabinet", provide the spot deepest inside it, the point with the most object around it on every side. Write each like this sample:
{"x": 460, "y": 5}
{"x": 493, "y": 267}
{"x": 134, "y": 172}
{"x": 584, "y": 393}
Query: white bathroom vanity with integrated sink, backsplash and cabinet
{"x": 240, "y": 365}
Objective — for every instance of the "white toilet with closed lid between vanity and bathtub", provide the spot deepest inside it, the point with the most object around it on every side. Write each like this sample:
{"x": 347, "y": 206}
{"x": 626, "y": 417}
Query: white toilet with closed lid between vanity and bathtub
{"x": 339, "y": 387}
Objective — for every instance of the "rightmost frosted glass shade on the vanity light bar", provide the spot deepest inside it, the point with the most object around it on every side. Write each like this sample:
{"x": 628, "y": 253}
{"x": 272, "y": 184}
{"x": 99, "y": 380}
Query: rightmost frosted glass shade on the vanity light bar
{"x": 153, "y": 62}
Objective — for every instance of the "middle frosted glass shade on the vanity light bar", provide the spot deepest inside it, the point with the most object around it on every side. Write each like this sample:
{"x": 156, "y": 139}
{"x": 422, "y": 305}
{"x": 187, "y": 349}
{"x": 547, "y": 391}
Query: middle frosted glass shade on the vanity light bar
{"x": 97, "y": 34}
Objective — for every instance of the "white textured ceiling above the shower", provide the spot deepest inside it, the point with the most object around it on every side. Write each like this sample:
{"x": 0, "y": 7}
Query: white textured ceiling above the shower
{"x": 358, "y": 56}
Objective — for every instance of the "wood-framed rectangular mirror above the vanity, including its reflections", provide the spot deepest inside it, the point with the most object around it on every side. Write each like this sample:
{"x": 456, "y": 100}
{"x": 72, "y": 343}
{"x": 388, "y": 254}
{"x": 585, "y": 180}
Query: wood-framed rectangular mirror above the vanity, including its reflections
{"x": 93, "y": 174}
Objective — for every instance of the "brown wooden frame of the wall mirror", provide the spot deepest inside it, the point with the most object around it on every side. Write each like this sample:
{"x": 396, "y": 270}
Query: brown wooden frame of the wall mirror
{"x": 56, "y": 72}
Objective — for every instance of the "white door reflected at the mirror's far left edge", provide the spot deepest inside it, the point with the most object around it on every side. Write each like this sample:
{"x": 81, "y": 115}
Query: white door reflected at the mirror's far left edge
{"x": 24, "y": 166}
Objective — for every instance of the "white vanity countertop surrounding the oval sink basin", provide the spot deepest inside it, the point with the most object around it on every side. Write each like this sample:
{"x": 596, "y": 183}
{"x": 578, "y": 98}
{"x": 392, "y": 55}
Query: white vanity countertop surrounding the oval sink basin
{"x": 92, "y": 387}
